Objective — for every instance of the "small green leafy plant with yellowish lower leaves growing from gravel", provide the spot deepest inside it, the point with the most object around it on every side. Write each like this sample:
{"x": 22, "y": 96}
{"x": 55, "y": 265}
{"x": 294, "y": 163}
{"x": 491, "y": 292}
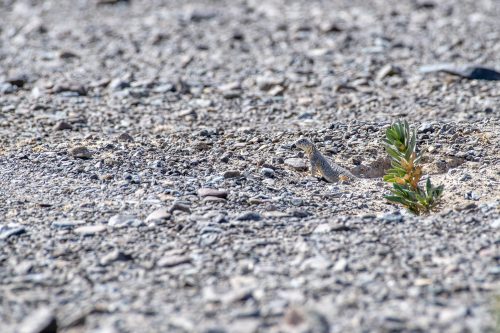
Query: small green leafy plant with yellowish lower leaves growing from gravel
{"x": 405, "y": 172}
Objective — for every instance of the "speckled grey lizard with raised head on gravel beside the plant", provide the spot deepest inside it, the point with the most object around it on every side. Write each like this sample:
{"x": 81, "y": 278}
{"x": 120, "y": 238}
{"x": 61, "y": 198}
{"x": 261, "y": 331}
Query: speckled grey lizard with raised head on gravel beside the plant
{"x": 319, "y": 164}
